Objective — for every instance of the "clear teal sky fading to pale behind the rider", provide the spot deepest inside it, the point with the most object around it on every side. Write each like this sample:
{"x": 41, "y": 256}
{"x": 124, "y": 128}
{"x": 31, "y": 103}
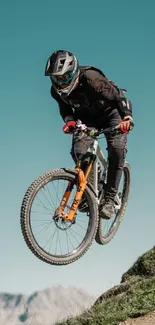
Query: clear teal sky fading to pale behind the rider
{"x": 117, "y": 37}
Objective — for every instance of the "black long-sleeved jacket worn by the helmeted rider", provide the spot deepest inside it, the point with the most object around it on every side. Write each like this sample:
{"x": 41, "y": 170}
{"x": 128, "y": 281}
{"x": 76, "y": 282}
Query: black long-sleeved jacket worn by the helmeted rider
{"x": 93, "y": 99}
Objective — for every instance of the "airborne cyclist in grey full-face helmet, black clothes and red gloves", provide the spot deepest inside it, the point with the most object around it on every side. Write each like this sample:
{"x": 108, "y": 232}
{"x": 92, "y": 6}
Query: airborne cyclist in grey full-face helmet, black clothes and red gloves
{"x": 85, "y": 93}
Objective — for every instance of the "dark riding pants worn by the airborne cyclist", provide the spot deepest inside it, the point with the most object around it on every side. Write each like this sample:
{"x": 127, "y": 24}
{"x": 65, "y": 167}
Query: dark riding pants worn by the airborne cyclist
{"x": 116, "y": 146}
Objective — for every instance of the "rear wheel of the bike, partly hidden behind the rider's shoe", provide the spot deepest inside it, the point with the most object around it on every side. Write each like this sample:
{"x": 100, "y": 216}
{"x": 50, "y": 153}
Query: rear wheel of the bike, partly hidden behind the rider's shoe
{"x": 108, "y": 228}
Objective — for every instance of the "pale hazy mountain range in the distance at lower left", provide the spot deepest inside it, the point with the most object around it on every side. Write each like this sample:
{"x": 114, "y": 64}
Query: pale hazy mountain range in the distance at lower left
{"x": 43, "y": 307}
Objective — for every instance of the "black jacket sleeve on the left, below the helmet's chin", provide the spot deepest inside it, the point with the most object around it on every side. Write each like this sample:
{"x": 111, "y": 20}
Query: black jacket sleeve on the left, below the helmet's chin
{"x": 64, "y": 109}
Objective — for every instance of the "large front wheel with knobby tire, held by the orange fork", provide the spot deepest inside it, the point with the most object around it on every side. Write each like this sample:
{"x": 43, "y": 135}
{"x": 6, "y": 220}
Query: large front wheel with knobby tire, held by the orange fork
{"x": 56, "y": 241}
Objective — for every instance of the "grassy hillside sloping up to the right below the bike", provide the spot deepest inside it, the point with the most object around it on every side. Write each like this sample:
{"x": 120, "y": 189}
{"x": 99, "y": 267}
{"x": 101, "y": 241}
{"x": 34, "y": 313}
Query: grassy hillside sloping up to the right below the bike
{"x": 135, "y": 296}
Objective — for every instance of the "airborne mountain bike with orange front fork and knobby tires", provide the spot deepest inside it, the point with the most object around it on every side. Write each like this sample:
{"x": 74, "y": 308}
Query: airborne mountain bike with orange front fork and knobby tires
{"x": 60, "y": 210}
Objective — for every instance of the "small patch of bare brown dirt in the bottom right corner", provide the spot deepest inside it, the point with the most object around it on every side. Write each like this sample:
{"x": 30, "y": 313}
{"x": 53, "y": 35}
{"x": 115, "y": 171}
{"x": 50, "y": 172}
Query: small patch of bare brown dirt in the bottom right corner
{"x": 148, "y": 319}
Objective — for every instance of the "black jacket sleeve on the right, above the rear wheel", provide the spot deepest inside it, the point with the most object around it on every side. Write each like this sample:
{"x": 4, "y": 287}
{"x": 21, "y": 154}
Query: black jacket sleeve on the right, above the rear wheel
{"x": 104, "y": 89}
